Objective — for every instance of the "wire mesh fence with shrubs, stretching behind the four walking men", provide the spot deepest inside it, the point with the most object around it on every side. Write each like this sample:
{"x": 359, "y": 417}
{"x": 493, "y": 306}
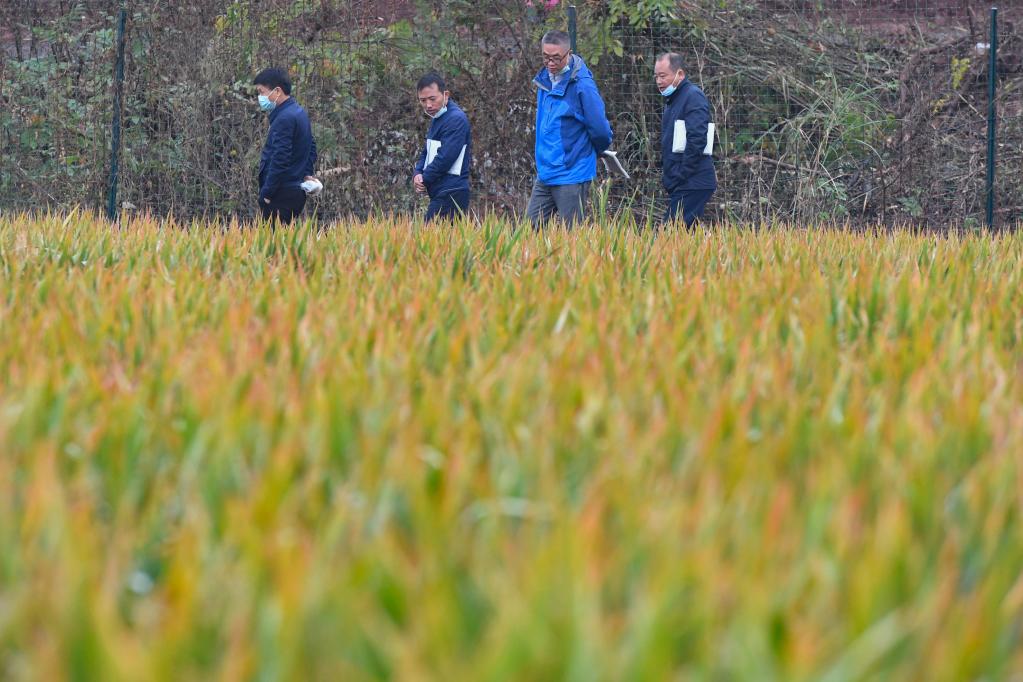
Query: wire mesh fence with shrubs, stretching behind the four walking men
{"x": 867, "y": 111}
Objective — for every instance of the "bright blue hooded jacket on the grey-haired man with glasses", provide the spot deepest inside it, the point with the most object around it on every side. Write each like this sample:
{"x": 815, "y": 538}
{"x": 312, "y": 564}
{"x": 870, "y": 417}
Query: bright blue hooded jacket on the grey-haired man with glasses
{"x": 572, "y": 126}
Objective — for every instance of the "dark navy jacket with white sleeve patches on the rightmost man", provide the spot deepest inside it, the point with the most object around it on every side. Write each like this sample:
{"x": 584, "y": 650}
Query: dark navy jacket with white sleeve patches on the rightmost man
{"x": 694, "y": 167}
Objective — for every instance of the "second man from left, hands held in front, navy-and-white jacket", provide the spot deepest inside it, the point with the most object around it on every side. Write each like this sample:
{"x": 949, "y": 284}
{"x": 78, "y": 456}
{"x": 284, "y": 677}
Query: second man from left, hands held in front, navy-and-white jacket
{"x": 442, "y": 171}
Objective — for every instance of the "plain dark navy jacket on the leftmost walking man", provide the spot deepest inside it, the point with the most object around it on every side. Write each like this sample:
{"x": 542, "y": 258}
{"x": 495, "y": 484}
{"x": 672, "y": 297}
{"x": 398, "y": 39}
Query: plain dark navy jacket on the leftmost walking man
{"x": 290, "y": 153}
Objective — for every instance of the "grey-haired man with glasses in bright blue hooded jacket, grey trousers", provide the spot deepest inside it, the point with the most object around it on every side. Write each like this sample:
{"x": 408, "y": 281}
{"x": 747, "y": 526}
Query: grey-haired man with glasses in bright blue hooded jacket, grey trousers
{"x": 572, "y": 129}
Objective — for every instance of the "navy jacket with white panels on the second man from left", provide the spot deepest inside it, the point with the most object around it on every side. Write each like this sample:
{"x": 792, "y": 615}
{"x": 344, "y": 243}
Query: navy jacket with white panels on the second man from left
{"x": 449, "y": 154}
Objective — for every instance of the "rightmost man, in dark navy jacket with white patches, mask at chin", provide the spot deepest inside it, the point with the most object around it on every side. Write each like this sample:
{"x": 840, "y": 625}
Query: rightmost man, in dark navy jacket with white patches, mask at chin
{"x": 687, "y": 142}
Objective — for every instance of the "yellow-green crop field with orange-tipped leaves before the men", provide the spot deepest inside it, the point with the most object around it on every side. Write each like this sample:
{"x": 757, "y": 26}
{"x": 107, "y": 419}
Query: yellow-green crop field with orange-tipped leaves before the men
{"x": 380, "y": 451}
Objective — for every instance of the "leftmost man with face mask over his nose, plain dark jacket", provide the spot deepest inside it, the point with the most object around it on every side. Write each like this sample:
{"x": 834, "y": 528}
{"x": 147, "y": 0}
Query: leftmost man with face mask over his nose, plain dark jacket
{"x": 290, "y": 154}
